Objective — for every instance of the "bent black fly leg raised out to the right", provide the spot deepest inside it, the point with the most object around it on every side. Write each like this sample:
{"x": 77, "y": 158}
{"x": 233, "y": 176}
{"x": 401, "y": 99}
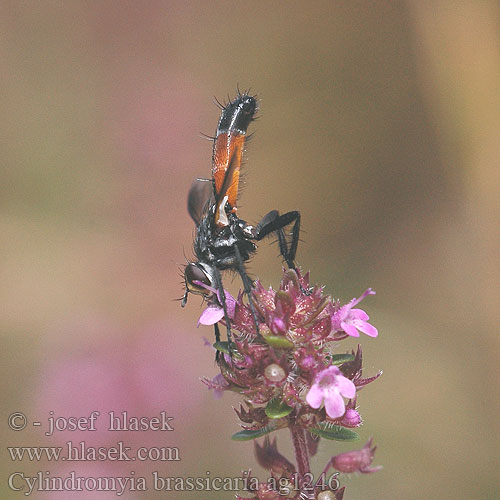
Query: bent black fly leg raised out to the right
{"x": 274, "y": 222}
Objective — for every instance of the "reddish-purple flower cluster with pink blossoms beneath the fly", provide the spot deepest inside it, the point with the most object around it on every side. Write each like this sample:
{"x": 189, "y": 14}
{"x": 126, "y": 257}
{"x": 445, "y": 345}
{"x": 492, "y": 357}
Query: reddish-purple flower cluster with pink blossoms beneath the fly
{"x": 291, "y": 376}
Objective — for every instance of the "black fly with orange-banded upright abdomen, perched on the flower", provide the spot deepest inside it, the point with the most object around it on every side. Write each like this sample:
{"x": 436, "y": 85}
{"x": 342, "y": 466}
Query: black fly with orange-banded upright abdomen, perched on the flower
{"x": 224, "y": 241}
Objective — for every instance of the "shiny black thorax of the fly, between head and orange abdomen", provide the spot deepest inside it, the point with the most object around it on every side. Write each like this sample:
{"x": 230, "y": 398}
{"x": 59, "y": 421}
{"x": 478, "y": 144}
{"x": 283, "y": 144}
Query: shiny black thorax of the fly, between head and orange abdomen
{"x": 217, "y": 245}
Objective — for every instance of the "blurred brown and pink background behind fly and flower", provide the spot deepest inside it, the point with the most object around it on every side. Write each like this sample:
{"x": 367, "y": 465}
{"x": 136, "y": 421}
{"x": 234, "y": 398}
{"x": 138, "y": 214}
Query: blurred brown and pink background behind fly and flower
{"x": 379, "y": 121}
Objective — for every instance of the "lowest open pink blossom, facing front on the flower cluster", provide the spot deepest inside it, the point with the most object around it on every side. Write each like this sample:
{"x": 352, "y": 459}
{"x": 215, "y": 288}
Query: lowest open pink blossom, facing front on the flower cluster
{"x": 330, "y": 385}
